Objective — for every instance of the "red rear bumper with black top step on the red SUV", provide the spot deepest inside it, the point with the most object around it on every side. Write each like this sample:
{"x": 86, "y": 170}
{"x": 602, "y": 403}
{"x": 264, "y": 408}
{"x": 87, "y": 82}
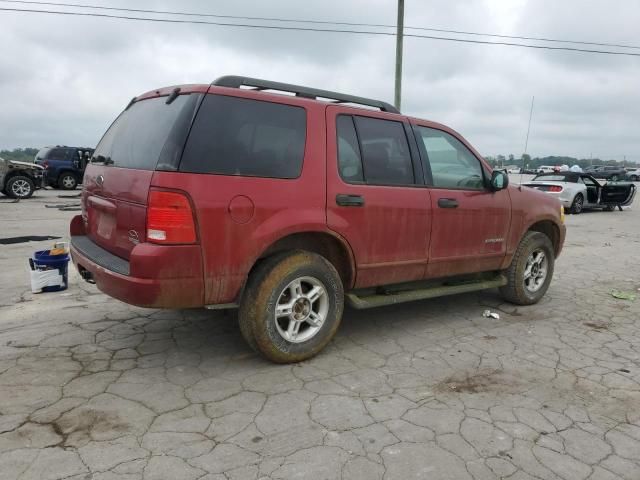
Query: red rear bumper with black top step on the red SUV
{"x": 155, "y": 276}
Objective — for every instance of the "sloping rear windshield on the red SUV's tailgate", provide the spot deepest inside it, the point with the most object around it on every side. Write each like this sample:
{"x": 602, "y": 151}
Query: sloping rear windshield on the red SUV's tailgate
{"x": 150, "y": 134}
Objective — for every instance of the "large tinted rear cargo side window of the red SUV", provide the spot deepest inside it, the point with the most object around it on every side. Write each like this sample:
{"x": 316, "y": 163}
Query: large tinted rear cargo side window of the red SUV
{"x": 239, "y": 136}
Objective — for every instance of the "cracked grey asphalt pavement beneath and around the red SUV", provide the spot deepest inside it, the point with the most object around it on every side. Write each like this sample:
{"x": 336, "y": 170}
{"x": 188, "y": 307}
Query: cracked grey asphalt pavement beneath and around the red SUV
{"x": 91, "y": 388}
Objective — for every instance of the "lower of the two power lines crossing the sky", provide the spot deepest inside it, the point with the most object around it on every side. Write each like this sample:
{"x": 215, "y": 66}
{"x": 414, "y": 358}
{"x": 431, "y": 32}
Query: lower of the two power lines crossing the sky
{"x": 310, "y": 29}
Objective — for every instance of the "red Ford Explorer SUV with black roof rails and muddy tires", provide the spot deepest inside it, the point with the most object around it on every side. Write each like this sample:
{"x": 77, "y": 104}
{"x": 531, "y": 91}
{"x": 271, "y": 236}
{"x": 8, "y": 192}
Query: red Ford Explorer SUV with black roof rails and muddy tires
{"x": 287, "y": 205}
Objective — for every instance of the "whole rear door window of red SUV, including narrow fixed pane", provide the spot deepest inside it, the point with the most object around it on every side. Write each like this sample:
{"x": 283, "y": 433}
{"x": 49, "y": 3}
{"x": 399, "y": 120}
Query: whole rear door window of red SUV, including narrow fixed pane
{"x": 376, "y": 151}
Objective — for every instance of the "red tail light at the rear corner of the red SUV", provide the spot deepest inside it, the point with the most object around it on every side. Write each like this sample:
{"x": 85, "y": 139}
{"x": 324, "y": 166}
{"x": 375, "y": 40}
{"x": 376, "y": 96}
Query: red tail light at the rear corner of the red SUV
{"x": 170, "y": 218}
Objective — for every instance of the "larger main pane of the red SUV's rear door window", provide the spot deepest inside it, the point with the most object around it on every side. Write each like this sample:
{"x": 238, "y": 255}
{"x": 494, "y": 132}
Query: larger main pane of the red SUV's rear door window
{"x": 385, "y": 152}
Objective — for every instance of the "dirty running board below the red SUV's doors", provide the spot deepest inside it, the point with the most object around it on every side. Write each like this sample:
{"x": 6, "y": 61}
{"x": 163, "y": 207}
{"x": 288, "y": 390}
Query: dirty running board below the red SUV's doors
{"x": 377, "y": 300}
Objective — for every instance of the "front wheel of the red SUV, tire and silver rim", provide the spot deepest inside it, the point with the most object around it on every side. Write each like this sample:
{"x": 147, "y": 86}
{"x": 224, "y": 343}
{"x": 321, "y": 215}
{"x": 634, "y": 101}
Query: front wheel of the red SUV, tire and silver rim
{"x": 531, "y": 270}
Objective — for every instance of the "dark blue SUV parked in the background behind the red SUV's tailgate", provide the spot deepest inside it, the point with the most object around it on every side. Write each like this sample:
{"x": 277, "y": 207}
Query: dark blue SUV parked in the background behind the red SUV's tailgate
{"x": 64, "y": 166}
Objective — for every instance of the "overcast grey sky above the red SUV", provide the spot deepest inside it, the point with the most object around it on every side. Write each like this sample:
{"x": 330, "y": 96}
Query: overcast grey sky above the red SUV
{"x": 64, "y": 79}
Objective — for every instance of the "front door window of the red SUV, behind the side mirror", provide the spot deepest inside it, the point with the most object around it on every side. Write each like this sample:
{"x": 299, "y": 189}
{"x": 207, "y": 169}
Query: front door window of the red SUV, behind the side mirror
{"x": 452, "y": 164}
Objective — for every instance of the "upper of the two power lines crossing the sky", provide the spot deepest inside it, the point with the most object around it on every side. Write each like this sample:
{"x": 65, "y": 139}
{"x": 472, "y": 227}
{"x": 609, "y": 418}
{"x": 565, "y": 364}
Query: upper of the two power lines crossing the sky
{"x": 319, "y": 22}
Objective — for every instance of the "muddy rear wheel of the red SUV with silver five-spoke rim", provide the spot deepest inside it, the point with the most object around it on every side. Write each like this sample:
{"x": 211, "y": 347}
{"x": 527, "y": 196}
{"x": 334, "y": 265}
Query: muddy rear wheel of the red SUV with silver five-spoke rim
{"x": 292, "y": 306}
